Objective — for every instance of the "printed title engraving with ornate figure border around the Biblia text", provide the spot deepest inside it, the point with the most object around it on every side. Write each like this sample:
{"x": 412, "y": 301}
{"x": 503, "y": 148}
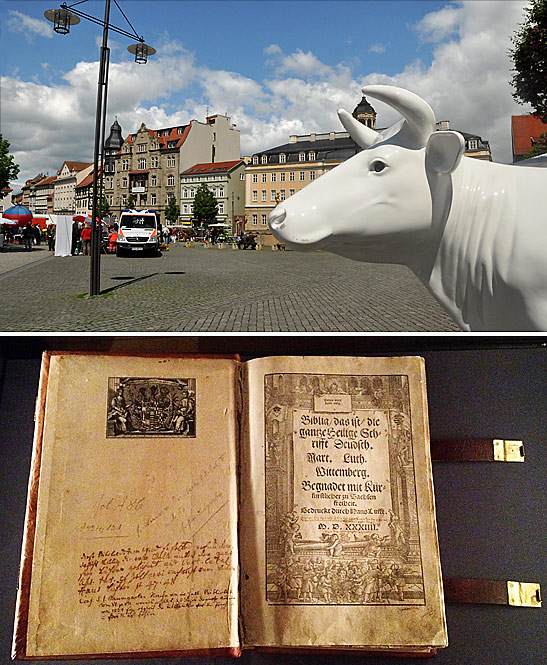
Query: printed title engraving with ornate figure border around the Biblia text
{"x": 341, "y": 511}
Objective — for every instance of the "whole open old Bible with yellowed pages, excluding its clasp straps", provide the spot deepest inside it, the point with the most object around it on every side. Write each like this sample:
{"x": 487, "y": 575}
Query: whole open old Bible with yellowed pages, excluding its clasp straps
{"x": 192, "y": 505}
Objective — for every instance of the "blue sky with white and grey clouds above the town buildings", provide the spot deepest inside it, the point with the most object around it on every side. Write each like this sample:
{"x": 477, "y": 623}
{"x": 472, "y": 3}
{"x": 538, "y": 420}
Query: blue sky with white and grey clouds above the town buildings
{"x": 276, "y": 68}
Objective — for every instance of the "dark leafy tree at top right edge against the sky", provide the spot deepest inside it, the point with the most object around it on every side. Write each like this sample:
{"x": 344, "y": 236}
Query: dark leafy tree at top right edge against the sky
{"x": 529, "y": 57}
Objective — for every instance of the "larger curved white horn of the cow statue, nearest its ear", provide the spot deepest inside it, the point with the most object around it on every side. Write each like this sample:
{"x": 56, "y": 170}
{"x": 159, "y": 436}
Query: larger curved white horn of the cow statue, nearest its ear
{"x": 419, "y": 116}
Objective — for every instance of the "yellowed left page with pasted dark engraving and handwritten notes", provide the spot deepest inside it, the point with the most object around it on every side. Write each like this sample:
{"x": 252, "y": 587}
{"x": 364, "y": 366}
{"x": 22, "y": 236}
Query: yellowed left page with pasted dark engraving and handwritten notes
{"x": 135, "y": 546}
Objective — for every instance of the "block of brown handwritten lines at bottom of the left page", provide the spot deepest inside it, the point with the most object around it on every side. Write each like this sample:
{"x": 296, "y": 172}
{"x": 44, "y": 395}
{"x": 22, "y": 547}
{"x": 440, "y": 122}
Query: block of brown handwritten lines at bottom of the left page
{"x": 144, "y": 581}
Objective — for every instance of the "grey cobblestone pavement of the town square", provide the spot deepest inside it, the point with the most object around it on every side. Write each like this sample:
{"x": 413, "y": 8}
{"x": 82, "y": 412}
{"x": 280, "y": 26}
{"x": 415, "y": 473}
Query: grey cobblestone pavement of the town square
{"x": 211, "y": 290}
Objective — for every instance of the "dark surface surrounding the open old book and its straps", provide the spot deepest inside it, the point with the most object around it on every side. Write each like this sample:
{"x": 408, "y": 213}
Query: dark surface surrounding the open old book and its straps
{"x": 491, "y": 516}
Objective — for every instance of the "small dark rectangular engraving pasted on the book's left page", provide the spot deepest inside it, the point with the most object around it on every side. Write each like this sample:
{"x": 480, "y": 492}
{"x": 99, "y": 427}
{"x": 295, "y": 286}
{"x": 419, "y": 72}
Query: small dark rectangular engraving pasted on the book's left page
{"x": 148, "y": 407}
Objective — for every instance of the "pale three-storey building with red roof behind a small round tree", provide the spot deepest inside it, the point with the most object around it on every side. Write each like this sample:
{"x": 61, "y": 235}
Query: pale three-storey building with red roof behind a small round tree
{"x": 227, "y": 182}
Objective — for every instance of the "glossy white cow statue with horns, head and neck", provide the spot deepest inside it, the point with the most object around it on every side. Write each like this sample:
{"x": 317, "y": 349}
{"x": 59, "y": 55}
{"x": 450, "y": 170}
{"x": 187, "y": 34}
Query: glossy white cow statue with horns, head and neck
{"x": 474, "y": 232}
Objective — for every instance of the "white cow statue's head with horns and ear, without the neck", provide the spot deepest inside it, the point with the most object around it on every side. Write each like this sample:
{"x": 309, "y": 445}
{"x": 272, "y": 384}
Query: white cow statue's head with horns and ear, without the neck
{"x": 381, "y": 194}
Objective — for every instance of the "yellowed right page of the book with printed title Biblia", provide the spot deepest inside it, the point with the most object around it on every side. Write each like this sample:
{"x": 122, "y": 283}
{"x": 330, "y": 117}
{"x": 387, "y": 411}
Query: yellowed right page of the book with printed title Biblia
{"x": 338, "y": 544}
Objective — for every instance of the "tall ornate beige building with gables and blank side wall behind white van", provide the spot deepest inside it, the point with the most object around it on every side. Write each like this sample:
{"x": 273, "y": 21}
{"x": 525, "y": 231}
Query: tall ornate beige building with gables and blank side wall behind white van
{"x": 145, "y": 172}
